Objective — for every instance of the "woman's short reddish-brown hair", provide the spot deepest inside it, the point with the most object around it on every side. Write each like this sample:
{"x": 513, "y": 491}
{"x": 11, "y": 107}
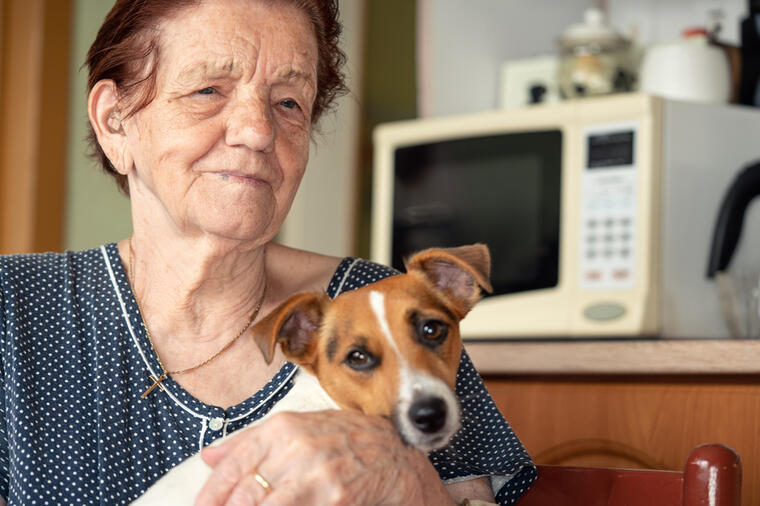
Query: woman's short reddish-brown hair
{"x": 126, "y": 50}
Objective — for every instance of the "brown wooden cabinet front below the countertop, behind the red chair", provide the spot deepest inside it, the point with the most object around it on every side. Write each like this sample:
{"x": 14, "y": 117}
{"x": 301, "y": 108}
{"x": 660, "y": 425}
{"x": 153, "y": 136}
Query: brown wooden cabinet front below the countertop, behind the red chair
{"x": 640, "y": 419}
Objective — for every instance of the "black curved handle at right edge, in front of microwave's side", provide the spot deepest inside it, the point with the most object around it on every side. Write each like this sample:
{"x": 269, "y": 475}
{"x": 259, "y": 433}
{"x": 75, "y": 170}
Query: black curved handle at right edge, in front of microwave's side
{"x": 728, "y": 228}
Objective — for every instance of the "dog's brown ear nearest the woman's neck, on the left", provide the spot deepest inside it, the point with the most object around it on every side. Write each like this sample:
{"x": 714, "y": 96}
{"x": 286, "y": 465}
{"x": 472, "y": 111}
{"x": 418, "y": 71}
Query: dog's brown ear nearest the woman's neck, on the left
{"x": 294, "y": 323}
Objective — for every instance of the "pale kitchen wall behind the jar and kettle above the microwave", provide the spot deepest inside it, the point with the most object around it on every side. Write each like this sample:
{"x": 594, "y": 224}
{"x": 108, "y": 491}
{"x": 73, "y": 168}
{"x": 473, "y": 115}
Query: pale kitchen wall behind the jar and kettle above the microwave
{"x": 461, "y": 45}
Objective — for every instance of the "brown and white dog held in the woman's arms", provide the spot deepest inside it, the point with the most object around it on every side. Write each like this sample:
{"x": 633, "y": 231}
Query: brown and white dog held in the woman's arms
{"x": 390, "y": 349}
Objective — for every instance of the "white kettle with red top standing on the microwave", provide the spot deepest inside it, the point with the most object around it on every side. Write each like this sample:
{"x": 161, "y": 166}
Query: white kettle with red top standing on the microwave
{"x": 689, "y": 69}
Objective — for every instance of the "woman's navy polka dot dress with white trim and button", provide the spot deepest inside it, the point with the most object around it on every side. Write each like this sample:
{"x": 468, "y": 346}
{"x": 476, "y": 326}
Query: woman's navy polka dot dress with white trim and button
{"x": 75, "y": 359}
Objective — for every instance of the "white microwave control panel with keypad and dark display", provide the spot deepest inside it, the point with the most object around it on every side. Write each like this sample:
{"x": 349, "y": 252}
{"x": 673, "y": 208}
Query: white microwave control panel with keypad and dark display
{"x": 608, "y": 207}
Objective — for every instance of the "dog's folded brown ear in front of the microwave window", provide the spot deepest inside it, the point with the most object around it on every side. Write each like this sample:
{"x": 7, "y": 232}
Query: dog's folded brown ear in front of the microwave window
{"x": 458, "y": 272}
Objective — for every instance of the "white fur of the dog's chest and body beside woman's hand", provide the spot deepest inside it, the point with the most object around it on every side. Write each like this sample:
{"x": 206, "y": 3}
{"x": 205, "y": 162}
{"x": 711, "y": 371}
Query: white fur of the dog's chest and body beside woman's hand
{"x": 181, "y": 484}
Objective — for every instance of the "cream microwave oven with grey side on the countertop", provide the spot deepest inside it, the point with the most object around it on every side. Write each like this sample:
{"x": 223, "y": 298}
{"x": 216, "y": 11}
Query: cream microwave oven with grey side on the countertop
{"x": 599, "y": 213}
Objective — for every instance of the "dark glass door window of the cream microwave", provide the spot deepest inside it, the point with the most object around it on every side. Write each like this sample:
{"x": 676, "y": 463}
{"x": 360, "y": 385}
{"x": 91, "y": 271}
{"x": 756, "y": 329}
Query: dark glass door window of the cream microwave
{"x": 502, "y": 190}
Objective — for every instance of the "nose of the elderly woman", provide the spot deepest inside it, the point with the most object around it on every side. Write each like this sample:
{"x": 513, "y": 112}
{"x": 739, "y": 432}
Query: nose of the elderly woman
{"x": 250, "y": 125}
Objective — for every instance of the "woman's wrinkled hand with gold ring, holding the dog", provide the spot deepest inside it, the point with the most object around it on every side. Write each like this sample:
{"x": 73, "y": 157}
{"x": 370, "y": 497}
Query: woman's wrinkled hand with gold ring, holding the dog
{"x": 320, "y": 458}
